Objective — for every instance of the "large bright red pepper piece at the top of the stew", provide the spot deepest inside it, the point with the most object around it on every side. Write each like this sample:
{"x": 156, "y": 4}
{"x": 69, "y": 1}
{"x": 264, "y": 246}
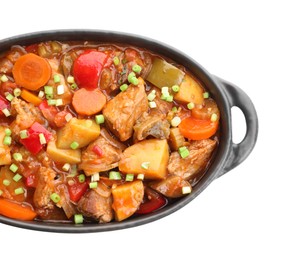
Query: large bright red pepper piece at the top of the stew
{"x": 87, "y": 68}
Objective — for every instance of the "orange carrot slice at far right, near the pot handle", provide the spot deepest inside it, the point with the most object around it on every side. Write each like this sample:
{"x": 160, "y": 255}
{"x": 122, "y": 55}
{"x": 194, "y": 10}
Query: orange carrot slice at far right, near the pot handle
{"x": 196, "y": 129}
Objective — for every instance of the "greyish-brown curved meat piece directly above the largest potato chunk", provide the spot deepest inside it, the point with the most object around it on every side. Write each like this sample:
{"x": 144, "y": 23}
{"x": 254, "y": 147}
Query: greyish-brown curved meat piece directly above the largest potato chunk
{"x": 153, "y": 124}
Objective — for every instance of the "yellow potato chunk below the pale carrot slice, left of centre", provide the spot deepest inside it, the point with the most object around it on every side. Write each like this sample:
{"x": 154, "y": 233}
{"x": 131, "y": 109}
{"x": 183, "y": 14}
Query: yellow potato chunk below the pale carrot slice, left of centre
{"x": 82, "y": 131}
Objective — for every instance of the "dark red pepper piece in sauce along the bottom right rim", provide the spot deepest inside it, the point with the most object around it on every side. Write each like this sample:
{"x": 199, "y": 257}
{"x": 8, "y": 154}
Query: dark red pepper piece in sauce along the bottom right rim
{"x": 153, "y": 202}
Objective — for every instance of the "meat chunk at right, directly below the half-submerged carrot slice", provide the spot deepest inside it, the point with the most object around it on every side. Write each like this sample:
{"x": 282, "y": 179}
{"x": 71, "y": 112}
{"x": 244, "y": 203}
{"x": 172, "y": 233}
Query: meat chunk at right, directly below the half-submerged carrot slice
{"x": 199, "y": 154}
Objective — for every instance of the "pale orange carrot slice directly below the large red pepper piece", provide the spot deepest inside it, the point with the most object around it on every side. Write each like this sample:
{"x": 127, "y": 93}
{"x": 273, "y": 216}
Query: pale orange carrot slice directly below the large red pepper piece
{"x": 88, "y": 102}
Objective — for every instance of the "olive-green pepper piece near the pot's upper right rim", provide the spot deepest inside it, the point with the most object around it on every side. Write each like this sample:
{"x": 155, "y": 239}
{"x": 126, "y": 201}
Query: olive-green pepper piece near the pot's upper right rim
{"x": 164, "y": 74}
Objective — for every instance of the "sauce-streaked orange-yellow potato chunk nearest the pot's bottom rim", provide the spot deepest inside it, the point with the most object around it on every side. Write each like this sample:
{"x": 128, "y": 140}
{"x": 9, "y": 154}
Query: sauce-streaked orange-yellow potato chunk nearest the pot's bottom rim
{"x": 127, "y": 199}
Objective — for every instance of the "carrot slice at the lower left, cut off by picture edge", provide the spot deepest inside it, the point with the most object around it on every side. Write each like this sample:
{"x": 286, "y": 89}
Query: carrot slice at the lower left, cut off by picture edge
{"x": 15, "y": 210}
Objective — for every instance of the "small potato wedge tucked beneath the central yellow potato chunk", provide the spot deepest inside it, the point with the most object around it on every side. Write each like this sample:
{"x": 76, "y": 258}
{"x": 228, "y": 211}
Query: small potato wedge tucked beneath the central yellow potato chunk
{"x": 63, "y": 155}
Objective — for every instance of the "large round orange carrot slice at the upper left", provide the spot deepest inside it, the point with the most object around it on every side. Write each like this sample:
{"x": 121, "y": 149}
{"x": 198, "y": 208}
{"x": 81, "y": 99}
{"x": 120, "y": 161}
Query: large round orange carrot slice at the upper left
{"x": 31, "y": 71}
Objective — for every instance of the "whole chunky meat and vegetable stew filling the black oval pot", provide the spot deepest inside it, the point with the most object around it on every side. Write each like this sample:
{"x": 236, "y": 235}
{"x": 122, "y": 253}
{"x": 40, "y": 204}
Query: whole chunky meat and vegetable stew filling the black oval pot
{"x": 93, "y": 132}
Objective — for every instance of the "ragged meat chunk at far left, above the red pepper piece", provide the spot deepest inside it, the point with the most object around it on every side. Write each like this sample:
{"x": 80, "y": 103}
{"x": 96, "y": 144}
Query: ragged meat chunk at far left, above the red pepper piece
{"x": 26, "y": 114}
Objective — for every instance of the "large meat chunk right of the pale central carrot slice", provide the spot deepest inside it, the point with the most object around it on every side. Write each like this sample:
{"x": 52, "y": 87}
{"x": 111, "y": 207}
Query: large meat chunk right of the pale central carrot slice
{"x": 122, "y": 111}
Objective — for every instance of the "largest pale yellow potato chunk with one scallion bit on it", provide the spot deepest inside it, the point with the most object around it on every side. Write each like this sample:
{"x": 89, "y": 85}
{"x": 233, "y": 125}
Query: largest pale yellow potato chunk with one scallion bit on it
{"x": 149, "y": 157}
